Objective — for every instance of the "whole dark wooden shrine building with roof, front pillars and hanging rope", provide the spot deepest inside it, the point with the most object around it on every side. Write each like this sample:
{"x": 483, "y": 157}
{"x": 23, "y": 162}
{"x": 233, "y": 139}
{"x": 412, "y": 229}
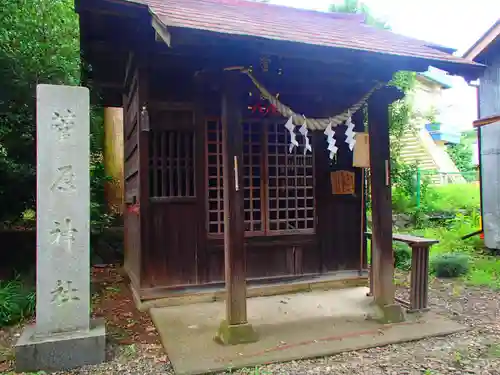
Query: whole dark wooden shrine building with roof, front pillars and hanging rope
{"x": 216, "y": 188}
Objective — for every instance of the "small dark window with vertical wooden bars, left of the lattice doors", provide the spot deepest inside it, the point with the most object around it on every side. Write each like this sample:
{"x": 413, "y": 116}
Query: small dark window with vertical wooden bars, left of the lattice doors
{"x": 171, "y": 162}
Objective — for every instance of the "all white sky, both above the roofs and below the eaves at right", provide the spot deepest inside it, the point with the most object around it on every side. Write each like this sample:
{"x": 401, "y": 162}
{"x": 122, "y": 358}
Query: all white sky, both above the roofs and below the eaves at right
{"x": 451, "y": 23}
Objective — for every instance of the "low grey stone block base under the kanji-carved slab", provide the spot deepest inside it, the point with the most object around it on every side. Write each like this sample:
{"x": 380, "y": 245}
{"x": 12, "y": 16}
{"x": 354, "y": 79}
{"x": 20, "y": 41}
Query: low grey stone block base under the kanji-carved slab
{"x": 61, "y": 351}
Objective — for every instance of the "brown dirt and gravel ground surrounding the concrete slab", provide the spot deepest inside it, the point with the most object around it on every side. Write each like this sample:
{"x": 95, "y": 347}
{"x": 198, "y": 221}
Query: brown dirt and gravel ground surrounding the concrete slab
{"x": 134, "y": 346}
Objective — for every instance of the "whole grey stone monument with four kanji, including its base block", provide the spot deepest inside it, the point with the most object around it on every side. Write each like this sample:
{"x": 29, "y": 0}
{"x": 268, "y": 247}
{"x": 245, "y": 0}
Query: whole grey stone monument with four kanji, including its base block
{"x": 63, "y": 336}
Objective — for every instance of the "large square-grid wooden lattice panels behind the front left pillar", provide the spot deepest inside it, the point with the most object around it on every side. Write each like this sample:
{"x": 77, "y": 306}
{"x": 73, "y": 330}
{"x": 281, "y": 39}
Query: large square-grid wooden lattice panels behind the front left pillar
{"x": 278, "y": 186}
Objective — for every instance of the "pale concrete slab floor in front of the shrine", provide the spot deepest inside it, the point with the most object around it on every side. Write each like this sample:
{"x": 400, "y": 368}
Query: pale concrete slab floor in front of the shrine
{"x": 290, "y": 327}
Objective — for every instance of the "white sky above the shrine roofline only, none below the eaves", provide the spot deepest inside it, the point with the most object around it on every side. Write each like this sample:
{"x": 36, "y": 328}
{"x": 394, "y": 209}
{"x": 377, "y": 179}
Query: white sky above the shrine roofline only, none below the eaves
{"x": 452, "y": 23}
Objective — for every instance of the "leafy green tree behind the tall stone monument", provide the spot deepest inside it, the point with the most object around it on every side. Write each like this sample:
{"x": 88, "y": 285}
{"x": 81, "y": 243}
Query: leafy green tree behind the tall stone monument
{"x": 38, "y": 44}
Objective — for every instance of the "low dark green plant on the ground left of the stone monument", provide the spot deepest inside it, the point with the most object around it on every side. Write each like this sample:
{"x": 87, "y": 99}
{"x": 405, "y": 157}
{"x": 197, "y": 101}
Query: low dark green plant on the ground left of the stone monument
{"x": 16, "y": 302}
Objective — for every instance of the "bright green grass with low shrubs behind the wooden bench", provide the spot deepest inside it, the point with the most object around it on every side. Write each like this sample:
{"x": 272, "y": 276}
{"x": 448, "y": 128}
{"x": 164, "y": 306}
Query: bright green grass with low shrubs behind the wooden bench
{"x": 462, "y": 202}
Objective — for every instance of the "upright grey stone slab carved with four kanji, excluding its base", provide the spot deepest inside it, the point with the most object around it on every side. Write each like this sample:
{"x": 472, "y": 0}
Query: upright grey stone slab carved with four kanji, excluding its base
{"x": 63, "y": 209}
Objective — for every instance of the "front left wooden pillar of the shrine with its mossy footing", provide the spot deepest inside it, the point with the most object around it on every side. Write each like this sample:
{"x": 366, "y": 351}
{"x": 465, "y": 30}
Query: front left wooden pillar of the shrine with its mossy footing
{"x": 235, "y": 329}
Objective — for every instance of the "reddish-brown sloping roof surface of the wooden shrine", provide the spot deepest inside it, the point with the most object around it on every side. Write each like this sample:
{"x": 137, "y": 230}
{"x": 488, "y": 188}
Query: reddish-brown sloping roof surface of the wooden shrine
{"x": 341, "y": 30}
